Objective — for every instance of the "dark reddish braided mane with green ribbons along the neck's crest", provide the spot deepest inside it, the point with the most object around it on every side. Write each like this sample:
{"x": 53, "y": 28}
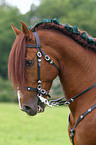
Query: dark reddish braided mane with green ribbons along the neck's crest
{"x": 79, "y": 36}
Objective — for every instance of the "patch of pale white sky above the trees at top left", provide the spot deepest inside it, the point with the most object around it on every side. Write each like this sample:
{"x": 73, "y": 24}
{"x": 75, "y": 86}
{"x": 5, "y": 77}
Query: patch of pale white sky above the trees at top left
{"x": 23, "y": 5}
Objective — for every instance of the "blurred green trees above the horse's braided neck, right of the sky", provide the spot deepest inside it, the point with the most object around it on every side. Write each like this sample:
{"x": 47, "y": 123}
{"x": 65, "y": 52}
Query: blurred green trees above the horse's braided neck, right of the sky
{"x": 82, "y": 13}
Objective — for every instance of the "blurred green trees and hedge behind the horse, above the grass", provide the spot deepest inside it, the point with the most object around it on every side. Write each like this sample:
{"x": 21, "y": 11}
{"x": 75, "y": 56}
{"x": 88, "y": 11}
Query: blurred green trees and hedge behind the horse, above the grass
{"x": 79, "y": 12}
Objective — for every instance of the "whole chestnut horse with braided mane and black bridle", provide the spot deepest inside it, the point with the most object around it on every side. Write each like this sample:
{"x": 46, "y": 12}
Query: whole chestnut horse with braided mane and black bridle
{"x": 48, "y": 49}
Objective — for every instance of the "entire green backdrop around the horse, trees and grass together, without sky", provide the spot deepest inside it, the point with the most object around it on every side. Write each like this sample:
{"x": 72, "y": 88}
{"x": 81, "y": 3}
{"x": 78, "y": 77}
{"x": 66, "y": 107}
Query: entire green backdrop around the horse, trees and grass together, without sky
{"x": 51, "y": 126}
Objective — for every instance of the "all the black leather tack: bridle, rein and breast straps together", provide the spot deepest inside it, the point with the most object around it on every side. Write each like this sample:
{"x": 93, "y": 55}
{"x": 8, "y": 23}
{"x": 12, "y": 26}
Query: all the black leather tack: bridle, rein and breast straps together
{"x": 60, "y": 101}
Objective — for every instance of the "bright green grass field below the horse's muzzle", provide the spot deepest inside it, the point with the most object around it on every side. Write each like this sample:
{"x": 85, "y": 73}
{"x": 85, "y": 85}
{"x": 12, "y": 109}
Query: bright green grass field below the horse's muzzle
{"x": 48, "y": 128}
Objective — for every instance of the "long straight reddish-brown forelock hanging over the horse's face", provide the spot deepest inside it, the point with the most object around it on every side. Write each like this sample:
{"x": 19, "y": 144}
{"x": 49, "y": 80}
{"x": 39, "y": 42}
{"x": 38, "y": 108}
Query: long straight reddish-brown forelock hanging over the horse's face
{"x": 17, "y": 56}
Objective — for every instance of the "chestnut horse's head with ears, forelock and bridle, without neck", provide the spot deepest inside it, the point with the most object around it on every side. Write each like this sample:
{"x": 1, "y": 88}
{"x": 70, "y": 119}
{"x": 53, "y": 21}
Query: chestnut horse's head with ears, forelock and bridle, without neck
{"x": 30, "y": 71}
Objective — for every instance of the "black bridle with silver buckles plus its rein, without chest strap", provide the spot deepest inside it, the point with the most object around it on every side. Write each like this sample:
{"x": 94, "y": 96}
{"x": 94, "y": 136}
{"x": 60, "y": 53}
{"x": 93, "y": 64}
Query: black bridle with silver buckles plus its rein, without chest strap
{"x": 39, "y": 89}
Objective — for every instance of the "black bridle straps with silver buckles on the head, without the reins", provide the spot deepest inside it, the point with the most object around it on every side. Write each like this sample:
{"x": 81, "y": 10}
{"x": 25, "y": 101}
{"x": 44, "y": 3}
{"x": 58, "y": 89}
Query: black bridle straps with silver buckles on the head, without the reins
{"x": 40, "y": 52}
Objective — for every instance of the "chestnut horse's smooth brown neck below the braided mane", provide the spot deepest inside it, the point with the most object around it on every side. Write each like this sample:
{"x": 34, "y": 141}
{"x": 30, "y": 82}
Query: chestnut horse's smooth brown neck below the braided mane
{"x": 77, "y": 67}
